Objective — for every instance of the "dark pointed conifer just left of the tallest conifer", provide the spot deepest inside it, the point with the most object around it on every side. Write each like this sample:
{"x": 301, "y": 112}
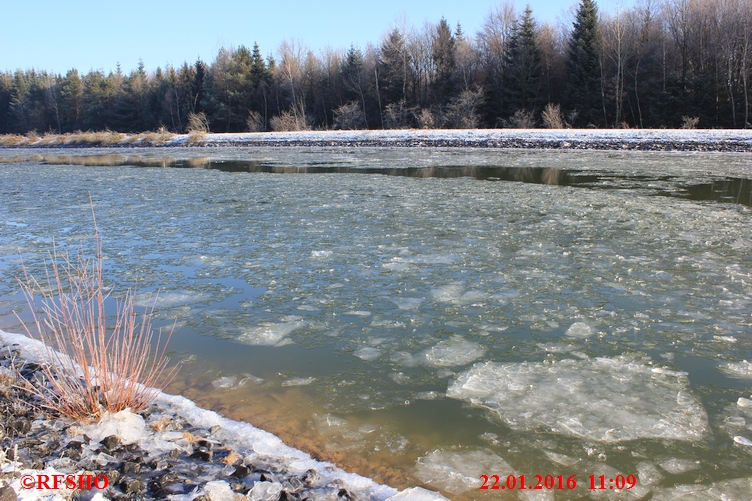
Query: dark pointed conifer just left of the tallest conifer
{"x": 523, "y": 72}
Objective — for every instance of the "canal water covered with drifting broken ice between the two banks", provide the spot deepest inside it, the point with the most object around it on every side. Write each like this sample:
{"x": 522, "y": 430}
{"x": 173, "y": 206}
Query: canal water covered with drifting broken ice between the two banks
{"x": 430, "y": 316}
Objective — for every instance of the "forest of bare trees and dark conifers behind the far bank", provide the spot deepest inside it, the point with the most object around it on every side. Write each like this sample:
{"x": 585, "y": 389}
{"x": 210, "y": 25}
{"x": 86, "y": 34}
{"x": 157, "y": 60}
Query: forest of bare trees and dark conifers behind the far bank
{"x": 659, "y": 63}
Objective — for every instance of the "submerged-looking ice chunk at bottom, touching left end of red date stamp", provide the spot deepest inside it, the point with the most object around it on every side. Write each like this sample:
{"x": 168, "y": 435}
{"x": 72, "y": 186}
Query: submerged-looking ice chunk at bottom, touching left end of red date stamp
{"x": 458, "y": 471}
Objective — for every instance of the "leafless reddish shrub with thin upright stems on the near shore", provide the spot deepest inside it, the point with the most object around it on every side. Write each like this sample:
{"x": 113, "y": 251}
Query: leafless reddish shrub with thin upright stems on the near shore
{"x": 93, "y": 366}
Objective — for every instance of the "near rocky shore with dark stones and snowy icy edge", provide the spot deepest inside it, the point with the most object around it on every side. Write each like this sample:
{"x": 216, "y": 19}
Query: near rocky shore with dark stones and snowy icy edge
{"x": 161, "y": 453}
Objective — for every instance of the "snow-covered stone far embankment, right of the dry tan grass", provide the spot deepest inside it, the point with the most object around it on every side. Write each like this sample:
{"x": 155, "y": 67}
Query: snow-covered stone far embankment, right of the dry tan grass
{"x": 601, "y": 139}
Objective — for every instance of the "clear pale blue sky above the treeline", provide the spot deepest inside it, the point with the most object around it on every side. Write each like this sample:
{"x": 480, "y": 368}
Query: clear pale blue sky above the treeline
{"x": 58, "y": 35}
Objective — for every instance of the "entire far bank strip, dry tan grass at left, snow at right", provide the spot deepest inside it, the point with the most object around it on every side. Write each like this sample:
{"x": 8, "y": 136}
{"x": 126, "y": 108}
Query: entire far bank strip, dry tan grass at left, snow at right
{"x": 729, "y": 140}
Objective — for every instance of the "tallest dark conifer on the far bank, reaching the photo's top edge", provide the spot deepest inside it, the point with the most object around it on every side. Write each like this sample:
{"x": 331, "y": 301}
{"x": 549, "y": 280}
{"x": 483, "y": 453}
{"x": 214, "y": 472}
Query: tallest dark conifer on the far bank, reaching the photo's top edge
{"x": 583, "y": 92}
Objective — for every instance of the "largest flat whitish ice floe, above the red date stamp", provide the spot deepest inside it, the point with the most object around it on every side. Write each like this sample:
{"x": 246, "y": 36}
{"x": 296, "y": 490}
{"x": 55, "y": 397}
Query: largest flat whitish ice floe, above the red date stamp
{"x": 602, "y": 399}
